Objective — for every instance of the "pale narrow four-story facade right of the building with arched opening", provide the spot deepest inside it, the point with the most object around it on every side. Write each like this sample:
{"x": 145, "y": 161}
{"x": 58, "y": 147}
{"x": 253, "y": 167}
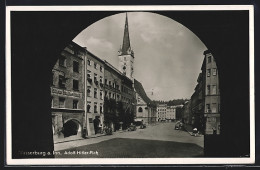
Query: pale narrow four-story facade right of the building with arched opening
{"x": 95, "y": 92}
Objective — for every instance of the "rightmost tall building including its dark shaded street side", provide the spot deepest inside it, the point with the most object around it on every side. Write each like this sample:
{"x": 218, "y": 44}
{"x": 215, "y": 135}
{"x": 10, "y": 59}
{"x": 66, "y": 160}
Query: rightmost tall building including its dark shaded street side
{"x": 205, "y": 101}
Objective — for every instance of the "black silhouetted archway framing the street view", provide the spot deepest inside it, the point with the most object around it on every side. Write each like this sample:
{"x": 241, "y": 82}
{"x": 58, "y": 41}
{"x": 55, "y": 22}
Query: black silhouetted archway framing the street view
{"x": 38, "y": 37}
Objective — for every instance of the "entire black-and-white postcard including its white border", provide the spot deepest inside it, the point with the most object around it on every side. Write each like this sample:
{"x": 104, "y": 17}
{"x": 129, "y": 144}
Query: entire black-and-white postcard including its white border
{"x": 130, "y": 85}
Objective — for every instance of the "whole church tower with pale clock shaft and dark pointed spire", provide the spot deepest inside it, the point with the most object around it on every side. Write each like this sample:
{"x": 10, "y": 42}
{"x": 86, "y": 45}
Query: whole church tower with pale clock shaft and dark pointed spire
{"x": 126, "y": 54}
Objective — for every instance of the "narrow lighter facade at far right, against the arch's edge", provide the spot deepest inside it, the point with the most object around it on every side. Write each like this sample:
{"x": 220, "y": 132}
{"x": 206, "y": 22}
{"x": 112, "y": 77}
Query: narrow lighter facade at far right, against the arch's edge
{"x": 212, "y": 95}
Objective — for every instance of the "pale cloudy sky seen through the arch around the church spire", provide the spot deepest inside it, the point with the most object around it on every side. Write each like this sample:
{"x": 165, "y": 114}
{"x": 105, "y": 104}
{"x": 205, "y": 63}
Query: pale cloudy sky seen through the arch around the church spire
{"x": 168, "y": 56}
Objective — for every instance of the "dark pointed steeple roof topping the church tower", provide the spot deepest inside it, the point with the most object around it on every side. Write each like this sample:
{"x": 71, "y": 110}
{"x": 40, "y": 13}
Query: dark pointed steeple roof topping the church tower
{"x": 126, "y": 47}
